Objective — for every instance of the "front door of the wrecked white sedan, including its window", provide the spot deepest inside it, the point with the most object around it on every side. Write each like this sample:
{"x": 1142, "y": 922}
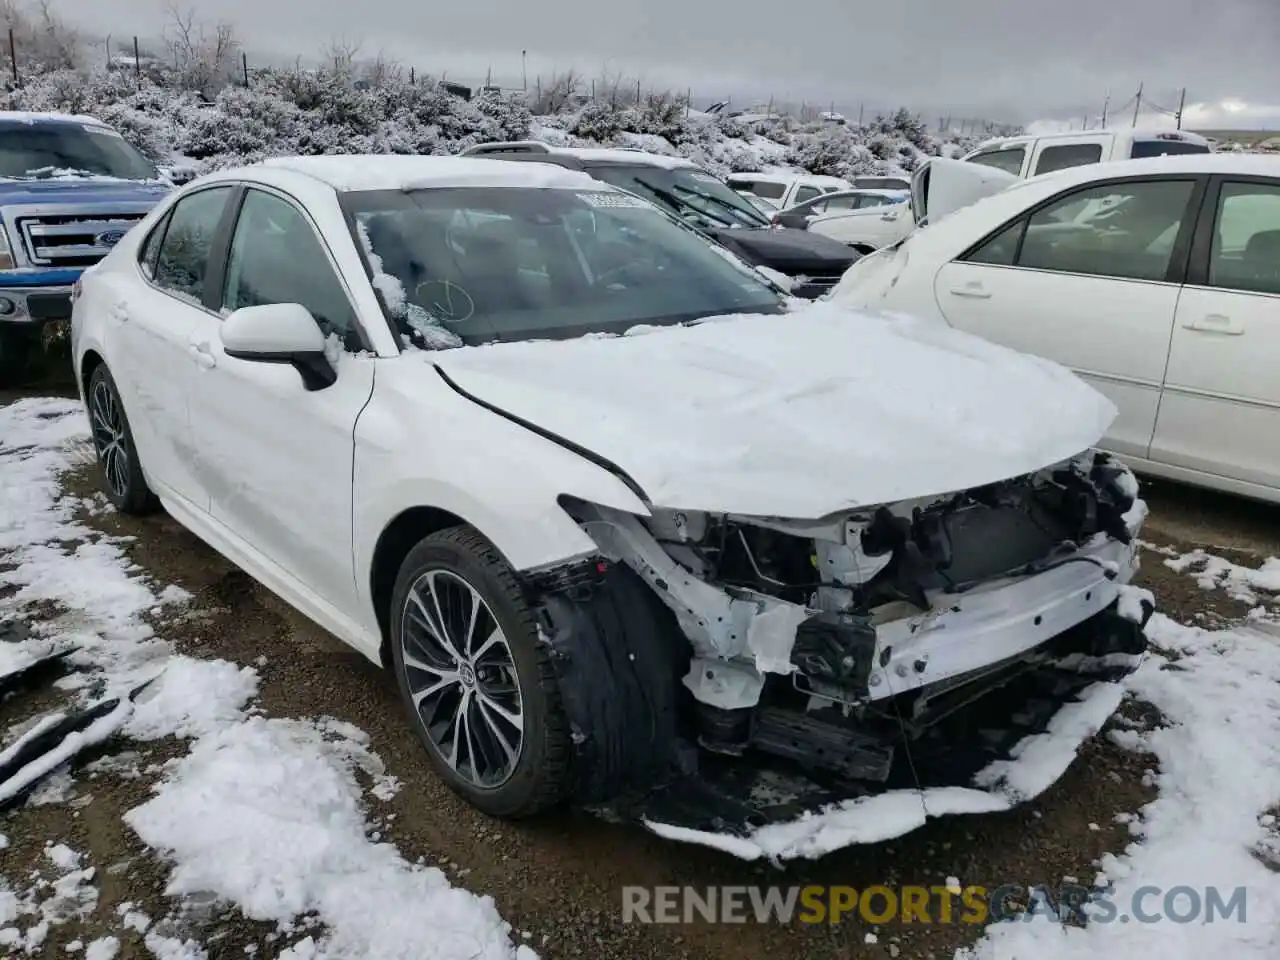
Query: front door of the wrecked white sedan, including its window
{"x": 277, "y": 458}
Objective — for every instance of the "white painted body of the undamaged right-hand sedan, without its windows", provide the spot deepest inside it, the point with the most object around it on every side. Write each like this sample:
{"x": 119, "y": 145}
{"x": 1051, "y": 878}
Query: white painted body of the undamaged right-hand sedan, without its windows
{"x": 1188, "y": 364}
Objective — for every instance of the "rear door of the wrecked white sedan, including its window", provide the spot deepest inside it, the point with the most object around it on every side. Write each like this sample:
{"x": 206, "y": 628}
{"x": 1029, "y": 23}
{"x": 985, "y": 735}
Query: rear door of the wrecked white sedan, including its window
{"x": 149, "y": 330}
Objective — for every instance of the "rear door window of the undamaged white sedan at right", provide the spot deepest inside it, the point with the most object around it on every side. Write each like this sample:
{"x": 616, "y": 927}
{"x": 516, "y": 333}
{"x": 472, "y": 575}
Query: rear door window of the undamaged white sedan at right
{"x": 1126, "y": 231}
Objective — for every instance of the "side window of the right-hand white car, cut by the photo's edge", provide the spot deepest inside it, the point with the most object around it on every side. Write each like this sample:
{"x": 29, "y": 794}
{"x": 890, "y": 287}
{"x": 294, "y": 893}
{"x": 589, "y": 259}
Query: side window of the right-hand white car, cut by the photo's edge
{"x": 1246, "y": 252}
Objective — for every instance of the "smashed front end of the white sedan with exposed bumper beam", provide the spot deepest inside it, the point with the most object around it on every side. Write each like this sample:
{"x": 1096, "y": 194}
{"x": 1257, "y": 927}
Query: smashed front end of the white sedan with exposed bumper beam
{"x": 781, "y": 689}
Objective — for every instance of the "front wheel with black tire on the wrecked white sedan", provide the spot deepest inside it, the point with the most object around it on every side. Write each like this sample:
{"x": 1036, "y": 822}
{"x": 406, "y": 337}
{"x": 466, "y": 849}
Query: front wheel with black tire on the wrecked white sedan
{"x": 478, "y": 684}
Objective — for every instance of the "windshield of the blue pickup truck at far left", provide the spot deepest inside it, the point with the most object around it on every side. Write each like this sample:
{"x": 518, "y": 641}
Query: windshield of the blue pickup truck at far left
{"x": 44, "y": 150}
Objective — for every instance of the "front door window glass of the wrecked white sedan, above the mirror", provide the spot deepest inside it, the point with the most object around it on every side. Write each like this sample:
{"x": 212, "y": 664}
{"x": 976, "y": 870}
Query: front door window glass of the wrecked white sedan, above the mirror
{"x": 277, "y": 258}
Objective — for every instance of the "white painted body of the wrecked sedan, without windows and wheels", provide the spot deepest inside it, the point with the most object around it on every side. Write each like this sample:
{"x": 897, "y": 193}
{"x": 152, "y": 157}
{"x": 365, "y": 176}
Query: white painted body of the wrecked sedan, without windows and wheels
{"x": 604, "y": 447}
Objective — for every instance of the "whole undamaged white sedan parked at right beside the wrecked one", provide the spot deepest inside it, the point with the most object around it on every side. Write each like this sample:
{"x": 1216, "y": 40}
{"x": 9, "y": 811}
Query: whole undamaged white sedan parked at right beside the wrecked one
{"x": 1156, "y": 281}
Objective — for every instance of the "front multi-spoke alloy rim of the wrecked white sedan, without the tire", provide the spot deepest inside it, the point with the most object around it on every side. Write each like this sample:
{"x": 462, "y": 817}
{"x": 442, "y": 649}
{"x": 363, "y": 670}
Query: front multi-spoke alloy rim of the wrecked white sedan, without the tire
{"x": 463, "y": 679}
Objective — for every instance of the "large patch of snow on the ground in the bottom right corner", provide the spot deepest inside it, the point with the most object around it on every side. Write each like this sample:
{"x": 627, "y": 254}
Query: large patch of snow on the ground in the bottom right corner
{"x": 1213, "y": 824}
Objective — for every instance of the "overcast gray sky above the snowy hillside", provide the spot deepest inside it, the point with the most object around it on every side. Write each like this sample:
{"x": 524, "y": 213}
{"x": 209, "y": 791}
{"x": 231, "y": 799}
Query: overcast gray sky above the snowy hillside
{"x": 1004, "y": 60}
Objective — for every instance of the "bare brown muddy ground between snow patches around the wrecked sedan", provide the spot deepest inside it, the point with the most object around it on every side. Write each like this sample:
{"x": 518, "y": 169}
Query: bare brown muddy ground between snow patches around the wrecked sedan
{"x": 559, "y": 881}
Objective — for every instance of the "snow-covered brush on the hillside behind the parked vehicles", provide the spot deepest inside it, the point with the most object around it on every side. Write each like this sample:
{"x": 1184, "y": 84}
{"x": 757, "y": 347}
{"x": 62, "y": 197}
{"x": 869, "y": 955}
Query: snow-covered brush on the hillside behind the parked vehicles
{"x": 323, "y": 112}
